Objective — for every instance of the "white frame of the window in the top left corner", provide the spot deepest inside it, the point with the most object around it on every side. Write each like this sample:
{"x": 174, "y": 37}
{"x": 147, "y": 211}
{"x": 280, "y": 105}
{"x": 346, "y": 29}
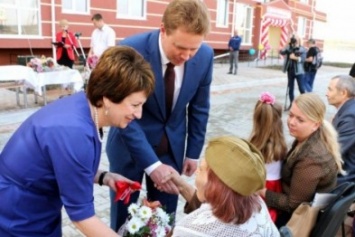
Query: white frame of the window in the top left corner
{"x": 18, "y": 7}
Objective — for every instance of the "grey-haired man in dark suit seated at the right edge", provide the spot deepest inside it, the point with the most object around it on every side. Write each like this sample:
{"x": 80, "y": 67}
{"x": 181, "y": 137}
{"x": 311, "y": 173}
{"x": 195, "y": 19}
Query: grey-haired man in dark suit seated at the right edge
{"x": 341, "y": 92}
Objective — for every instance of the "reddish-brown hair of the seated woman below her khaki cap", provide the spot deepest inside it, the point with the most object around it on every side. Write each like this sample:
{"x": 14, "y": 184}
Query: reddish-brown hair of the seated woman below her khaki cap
{"x": 229, "y": 206}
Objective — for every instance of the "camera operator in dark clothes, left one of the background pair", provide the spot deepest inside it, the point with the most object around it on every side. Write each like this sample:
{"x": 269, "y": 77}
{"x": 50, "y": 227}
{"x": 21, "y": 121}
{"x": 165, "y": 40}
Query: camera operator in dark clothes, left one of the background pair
{"x": 293, "y": 64}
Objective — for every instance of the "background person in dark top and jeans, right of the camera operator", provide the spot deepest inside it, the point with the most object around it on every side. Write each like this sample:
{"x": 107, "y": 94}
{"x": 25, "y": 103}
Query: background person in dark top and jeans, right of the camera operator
{"x": 309, "y": 67}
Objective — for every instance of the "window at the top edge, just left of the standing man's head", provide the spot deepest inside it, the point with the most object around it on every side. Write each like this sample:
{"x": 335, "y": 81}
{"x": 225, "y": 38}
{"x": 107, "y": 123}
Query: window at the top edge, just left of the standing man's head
{"x": 131, "y": 9}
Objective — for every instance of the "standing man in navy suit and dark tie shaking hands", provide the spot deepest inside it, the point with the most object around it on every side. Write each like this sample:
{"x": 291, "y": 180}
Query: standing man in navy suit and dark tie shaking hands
{"x": 167, "y": 140}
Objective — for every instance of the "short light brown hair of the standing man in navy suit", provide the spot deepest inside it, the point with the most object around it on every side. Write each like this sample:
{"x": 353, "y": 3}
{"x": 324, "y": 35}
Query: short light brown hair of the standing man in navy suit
{"x": 192, "y": 15}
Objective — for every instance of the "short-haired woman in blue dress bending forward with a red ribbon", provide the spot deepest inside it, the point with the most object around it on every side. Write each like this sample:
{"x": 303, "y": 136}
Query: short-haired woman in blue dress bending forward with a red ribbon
{"x": 52, "y": 159}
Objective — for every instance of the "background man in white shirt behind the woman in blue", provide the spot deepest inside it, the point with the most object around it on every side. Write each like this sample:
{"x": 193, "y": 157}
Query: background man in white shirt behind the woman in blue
{"x": 102, "y": 37}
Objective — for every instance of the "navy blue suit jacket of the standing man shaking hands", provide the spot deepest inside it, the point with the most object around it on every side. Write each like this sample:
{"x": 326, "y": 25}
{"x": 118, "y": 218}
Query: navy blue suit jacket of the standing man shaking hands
{"x": 188, "y": 120}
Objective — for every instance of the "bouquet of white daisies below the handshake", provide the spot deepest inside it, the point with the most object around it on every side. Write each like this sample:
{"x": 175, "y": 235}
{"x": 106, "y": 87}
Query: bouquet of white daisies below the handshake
{"x": 147, "y": 220}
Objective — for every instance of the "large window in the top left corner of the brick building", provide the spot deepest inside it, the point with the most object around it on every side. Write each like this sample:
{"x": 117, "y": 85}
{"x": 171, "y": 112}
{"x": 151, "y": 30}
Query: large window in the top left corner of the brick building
{"x": 20, "y": 18}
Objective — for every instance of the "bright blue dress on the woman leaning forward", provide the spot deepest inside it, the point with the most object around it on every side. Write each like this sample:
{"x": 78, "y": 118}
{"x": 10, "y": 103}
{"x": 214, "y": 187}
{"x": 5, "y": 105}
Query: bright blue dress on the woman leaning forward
{"x": 49, "y": 162}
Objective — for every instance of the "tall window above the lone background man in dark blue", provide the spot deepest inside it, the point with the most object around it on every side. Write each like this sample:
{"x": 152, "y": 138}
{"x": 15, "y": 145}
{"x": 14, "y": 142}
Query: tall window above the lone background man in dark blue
{"x": 244, "y": 22}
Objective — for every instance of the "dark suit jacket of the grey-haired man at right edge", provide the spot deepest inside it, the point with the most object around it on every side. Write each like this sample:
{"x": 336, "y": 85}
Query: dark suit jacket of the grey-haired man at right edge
{"x": 344, "y": 123}
